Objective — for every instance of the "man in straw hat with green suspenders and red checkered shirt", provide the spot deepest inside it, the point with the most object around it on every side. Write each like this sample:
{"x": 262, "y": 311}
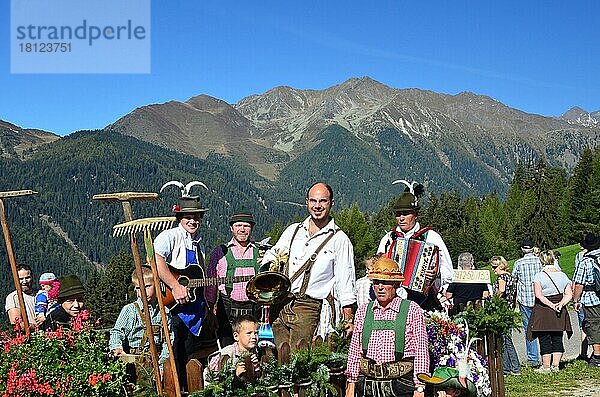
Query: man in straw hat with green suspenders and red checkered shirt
{"x": 389, "y": 344}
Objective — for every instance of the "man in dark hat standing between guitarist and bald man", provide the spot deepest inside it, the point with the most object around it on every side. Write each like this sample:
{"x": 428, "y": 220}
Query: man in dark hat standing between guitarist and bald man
{"x": 237, "y": 258}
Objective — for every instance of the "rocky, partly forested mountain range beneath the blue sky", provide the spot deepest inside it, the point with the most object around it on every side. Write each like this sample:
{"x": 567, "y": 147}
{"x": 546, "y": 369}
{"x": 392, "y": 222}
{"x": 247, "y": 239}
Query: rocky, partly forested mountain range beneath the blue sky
{"x": 262, "y": 153}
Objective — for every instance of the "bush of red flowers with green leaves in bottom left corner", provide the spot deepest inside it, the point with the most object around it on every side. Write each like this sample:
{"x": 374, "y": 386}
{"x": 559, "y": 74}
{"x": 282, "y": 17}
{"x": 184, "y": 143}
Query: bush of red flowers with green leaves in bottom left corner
{"x": 66, "y": 362}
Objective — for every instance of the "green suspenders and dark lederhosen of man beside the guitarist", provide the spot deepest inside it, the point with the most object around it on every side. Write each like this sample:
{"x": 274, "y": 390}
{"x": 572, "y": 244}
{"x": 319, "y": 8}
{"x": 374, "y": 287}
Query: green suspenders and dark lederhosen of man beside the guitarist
{"x": 234, "y": 308}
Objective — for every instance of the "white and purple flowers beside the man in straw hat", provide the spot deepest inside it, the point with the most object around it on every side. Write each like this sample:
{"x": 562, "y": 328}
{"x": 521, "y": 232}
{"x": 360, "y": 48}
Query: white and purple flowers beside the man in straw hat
{"x": 448, "y": 345}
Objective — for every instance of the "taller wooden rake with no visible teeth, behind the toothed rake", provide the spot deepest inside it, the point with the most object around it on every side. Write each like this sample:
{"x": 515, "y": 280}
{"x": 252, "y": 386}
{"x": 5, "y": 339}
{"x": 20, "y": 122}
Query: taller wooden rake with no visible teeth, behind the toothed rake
{"x": 125, "y": 198}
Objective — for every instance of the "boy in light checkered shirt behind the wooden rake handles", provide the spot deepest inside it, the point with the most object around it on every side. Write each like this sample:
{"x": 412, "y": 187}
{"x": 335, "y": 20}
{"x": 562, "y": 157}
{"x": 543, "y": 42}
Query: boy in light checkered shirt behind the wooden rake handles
{"x": 128, "y": 336}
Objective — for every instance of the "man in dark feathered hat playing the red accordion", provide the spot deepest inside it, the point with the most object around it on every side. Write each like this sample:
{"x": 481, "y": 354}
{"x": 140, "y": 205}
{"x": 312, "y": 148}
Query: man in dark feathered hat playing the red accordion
{"x": 406, "y": 211}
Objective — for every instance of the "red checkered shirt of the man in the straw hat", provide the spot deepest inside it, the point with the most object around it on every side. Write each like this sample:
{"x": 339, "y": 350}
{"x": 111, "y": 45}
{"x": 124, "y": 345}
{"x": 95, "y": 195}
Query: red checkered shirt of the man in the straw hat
{"x": 381, "y": 344}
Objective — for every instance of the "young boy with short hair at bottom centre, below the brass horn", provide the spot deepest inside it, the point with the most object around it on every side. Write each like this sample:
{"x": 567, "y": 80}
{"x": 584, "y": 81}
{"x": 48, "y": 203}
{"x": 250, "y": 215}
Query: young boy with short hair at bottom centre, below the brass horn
{"x": 245, "y": 334}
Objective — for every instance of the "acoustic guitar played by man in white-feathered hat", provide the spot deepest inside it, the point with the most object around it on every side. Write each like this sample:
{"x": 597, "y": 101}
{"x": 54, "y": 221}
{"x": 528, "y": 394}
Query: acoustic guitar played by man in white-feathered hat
{"x": 192, "y": 277}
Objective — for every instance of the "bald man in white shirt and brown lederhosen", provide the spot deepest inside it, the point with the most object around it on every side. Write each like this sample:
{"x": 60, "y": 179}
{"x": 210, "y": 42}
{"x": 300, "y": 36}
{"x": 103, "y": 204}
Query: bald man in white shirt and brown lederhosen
{"x": 320, "y": 260}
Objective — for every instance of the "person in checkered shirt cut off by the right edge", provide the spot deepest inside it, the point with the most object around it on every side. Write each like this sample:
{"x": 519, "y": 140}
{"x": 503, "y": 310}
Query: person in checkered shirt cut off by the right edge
{"x": 586, "y": 294}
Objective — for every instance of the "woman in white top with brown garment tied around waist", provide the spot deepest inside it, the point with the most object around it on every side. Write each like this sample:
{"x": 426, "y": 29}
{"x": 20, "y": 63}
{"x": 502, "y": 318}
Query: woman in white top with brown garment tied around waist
{"x": 549, "y": 318}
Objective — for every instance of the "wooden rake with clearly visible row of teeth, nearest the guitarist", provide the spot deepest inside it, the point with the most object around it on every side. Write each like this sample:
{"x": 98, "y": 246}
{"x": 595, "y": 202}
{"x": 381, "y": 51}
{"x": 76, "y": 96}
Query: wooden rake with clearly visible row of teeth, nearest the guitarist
{"x": 147, "y": 225}
